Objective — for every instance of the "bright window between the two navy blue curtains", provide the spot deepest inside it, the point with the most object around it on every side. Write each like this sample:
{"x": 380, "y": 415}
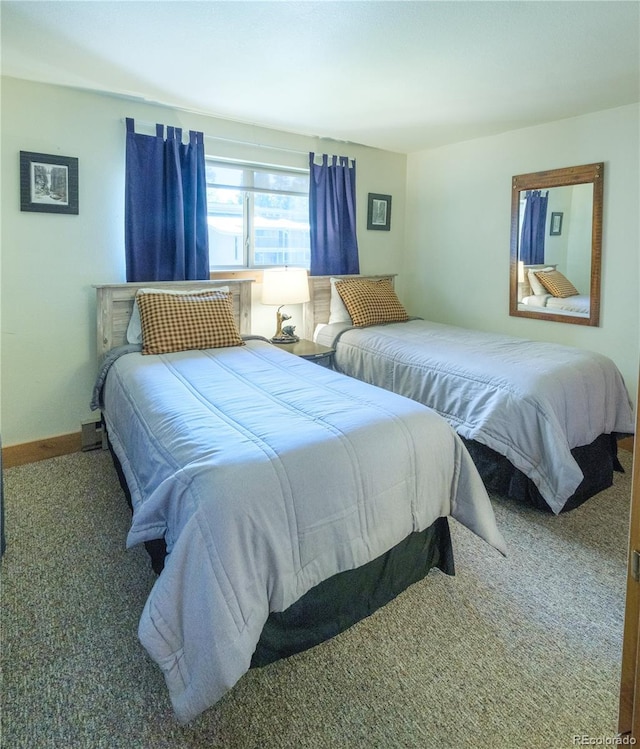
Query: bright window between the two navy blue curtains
{"x": 257, "y": 216}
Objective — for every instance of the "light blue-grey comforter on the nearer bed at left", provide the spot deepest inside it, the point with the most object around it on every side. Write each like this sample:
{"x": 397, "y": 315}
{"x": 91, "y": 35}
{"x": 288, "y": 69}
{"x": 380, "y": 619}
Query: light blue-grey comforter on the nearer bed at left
{"x": 267, "y": 474}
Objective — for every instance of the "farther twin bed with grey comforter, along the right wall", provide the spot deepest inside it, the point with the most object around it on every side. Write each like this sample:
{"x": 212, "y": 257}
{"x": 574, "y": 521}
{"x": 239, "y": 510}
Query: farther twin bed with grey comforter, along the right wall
{"x": 539, "y": 419}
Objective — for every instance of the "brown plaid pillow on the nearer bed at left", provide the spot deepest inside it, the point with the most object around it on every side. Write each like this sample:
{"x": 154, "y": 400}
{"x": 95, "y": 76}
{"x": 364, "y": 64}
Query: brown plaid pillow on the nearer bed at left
{"x": 181, "y": 322}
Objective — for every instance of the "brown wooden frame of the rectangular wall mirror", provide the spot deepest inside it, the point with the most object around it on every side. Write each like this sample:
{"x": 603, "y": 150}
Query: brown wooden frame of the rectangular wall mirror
{"x": 573, "y": 175}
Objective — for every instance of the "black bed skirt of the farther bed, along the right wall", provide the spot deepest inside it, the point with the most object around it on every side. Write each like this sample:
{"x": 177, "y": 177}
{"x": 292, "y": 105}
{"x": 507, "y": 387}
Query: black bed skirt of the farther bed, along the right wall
{"x": 597, "y": 462}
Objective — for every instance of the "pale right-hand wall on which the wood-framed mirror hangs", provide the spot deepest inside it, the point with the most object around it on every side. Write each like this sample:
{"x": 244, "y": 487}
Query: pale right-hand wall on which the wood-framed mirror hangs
{"x": 456, "y": 265}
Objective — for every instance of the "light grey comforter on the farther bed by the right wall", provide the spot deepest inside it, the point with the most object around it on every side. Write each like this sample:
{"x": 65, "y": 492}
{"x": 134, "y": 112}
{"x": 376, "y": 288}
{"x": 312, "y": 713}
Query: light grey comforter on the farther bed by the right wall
{"x": 532, "y": 402}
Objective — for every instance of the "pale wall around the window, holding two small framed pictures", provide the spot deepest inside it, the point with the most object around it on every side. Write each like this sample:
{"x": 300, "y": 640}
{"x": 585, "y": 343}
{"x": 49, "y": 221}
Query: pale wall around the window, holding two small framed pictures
{"x": 49, "y": 262}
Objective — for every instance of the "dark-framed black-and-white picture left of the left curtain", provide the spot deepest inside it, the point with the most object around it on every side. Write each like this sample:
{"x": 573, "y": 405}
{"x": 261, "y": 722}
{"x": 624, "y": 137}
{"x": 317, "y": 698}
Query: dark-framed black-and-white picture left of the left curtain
{"x": 48, "y": 184}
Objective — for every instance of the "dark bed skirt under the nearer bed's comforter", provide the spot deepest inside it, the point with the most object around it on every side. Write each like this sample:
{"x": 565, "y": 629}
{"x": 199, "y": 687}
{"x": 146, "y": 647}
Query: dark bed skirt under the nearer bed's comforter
{"x": 338, "y": 603}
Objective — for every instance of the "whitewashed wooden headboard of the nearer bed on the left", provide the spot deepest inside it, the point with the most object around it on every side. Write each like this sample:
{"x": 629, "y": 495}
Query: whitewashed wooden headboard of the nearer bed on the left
{"x": 115, "y": 304}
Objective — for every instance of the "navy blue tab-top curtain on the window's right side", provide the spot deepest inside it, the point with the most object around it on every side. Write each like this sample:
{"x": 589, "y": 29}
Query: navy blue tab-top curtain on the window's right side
{"x": 332, "y": 216}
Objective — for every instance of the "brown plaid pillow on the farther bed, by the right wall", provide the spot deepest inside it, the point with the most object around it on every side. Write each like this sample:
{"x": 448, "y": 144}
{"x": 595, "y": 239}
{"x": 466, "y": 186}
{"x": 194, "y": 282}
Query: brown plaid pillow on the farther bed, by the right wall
{"x": 370, "y": 302}
